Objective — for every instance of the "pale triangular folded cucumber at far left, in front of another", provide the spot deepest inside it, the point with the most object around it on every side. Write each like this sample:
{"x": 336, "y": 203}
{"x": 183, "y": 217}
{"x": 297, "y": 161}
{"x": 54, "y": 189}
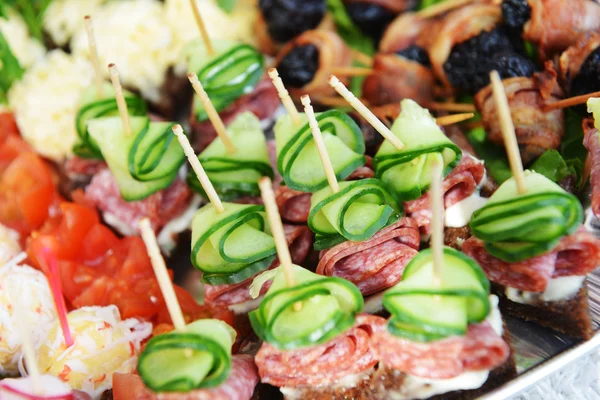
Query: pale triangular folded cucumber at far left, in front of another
{"x": 143, "y": 163}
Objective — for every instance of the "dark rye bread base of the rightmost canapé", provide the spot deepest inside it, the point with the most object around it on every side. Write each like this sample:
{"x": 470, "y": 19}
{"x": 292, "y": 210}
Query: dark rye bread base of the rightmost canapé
{"x": 570, "y": 317}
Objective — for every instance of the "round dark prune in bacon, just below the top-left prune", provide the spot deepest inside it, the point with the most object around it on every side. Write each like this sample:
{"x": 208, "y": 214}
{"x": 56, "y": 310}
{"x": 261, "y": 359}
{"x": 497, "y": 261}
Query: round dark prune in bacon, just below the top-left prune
{"x": 299, "y": 66}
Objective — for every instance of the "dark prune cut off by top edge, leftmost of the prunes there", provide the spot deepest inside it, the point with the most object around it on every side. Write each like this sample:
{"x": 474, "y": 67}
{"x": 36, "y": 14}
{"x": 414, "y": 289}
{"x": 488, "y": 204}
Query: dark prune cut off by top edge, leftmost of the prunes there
{"x": 287, "y": 19}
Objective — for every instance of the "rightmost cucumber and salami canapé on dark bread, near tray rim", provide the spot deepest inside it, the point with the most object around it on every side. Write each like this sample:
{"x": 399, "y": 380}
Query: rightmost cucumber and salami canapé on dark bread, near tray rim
{"x": 532, "y": 247}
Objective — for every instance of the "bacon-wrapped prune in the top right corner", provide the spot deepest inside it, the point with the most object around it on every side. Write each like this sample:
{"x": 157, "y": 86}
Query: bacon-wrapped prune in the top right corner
{"x": 552, "y": 25}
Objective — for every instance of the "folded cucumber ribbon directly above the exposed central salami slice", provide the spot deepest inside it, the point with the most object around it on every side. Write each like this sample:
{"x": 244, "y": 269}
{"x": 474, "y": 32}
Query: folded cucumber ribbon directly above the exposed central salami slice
{"x": 358, "y": 211}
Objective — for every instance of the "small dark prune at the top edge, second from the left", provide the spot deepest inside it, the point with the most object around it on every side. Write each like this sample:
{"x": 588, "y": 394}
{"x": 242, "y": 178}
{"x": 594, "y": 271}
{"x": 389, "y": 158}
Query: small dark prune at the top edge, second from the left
{"x": 372, "y": 19}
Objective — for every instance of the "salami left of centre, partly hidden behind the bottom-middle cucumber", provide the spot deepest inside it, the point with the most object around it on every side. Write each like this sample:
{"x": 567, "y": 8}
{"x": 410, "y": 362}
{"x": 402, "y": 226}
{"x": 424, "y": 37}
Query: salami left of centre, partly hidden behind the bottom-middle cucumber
{"x": 299, "y": 240}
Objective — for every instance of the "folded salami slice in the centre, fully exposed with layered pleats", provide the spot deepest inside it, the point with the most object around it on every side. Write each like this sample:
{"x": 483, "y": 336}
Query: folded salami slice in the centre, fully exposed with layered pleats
{"x": 377, "y": 263}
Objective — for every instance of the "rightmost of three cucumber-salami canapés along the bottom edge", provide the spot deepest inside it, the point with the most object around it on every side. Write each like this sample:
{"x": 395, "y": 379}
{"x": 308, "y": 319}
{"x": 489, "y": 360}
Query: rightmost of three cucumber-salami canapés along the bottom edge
{"x": 445, "y": 333}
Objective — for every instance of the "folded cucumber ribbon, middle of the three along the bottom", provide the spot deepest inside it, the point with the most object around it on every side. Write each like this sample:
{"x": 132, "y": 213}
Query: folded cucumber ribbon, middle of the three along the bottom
{"x": 329, "y": 307}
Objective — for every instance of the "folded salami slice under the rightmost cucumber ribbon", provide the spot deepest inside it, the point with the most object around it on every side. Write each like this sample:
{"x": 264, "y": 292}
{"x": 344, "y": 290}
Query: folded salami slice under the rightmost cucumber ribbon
{"x": 577, "y": 254}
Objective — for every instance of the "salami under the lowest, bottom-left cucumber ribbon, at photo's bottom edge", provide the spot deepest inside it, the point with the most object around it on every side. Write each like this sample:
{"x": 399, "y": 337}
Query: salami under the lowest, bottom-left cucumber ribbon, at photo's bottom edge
{"x": 240, "y": 385}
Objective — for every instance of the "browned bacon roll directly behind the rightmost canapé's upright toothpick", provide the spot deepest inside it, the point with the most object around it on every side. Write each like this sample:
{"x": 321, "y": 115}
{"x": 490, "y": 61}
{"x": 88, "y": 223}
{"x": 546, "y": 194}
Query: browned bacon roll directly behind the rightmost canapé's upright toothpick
{"x": 537, "y": 130}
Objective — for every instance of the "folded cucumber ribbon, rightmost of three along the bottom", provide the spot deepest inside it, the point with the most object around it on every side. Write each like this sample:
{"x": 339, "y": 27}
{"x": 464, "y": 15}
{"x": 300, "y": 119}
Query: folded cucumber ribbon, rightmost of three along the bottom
{"x": 424, "y": 309}
